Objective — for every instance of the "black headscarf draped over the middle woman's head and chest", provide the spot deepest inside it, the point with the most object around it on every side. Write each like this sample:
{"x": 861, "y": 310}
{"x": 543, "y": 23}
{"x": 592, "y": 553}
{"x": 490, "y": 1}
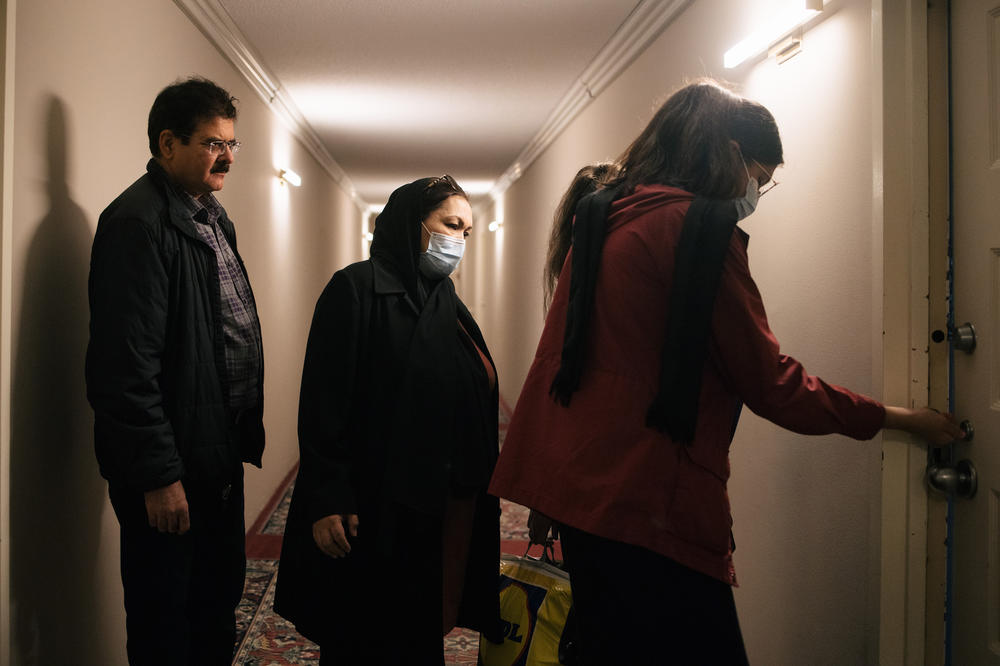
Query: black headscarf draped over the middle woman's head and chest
{"x": 442, "y": 439}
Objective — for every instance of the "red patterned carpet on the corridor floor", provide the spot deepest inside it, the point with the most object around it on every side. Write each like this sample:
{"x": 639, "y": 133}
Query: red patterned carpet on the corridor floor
{"x": 266, "y": 639}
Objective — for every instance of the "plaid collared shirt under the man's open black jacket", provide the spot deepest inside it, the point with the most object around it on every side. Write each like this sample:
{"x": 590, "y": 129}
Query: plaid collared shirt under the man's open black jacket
{"x": 239, "y": 315}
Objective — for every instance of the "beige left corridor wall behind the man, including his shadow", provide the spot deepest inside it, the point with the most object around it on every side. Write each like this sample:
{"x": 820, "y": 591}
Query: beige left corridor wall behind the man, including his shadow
{"x": 85, "y": 76}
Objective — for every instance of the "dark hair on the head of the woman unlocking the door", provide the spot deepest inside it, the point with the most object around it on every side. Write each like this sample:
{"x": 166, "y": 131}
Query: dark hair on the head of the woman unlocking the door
{"x": 687, "y": 144}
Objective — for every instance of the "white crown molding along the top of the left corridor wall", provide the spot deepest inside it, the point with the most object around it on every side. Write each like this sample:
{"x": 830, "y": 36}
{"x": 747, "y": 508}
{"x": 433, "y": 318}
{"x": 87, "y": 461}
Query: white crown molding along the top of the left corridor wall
{"x": 211, "y": 18}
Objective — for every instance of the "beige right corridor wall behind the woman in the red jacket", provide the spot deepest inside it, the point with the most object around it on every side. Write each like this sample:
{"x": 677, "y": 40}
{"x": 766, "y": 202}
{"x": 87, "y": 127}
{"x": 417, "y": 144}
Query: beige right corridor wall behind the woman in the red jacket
{"x": 803, "y": 507}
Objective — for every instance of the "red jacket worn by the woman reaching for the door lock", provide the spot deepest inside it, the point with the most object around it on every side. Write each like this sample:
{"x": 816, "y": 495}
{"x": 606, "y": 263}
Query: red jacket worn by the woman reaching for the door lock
{"x": 594, "y": 465}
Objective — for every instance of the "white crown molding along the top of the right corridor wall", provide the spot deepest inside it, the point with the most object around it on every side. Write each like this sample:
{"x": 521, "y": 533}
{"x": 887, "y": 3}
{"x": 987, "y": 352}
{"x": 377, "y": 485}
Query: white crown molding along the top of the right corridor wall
{"x": 636, "y": 33}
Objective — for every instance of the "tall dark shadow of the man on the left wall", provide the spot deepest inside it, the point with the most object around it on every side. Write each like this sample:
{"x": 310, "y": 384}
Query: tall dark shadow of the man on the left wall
{"x": 57, "y": 493}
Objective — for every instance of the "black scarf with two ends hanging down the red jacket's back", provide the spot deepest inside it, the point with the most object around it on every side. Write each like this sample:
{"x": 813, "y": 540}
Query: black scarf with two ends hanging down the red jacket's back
{"x": 708, "y": 227}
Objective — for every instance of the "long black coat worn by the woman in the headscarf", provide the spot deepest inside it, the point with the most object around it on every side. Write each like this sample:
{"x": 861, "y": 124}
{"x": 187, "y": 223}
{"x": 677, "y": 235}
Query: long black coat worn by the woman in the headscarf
{"x": 353, "y": 425}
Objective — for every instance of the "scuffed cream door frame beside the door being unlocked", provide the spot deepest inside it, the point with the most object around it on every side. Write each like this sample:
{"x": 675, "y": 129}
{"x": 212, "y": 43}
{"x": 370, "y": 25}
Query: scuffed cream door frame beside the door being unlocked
{"x": 911, "y": 197}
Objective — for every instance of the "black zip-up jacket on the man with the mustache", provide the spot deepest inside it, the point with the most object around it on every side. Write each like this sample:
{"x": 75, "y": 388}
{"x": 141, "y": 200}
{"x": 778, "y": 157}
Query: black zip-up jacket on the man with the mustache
{"x": 156, "y": 358}
